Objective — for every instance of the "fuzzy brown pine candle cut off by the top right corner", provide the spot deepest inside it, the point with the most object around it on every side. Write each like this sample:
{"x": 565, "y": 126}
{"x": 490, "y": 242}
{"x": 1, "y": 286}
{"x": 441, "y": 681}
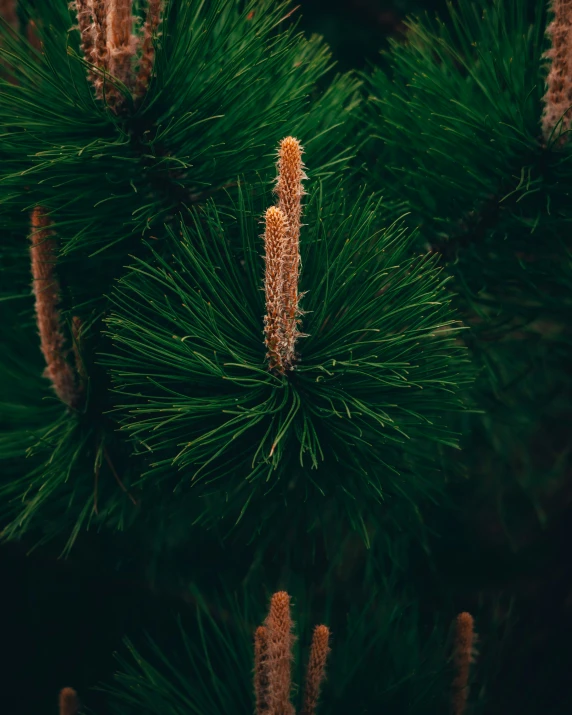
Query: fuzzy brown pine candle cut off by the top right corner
{"x": 558, "y": 96}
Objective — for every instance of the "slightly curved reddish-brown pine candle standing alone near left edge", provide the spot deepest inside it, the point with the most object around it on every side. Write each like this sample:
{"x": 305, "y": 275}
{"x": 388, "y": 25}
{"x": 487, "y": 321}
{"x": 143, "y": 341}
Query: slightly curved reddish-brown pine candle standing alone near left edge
{"x": 46, "y": 289}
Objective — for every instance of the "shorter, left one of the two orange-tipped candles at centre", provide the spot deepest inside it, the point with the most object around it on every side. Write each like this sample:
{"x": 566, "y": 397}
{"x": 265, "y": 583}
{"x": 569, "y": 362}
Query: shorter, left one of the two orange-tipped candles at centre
{"x": 274, "y": 239}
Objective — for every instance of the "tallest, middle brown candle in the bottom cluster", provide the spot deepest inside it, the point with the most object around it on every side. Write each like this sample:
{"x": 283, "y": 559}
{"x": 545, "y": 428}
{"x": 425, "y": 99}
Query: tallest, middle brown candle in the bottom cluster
{"x": 279, "y": 655}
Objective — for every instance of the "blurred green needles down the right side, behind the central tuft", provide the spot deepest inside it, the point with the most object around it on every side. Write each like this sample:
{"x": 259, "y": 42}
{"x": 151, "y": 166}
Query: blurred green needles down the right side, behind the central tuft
{"x": 456, "y": 133}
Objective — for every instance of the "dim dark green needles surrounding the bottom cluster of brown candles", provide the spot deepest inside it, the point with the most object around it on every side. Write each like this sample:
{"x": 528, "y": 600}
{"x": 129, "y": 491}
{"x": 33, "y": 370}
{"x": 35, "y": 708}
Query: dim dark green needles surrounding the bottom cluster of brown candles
{"x": 211, "y": 670}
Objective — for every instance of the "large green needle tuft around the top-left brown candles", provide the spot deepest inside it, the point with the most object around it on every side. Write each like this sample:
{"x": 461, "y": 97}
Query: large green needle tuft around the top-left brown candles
{"x": 227, "y": 86}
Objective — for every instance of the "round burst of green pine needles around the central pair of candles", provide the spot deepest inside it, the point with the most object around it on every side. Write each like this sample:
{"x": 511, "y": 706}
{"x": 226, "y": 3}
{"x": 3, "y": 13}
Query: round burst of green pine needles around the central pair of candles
{"x": 378, "y": 373}
